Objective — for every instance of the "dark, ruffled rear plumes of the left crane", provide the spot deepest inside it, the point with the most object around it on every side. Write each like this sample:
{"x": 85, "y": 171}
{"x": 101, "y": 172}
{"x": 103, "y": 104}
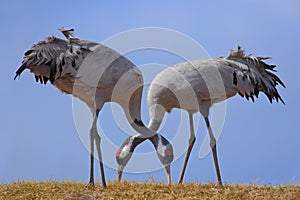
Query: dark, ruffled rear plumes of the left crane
{"x": 53, "y": 58}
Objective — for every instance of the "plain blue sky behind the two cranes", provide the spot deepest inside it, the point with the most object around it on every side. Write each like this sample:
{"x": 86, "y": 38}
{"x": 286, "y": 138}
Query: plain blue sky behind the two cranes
{"x": 259, "y": 141}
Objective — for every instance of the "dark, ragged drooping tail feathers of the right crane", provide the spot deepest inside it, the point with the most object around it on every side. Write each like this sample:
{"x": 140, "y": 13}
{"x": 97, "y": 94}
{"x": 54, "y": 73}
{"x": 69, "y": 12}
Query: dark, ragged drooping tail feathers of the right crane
{"x": 252, "y": 75}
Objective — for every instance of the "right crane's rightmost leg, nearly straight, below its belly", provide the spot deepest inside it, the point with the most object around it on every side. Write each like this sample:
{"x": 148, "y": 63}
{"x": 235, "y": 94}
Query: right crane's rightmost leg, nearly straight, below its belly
{"x": 213, "y": 145}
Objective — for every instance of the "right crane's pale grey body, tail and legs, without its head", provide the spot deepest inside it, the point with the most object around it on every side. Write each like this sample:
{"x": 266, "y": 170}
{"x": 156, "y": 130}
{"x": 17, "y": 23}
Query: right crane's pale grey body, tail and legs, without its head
{"x": 196, "y": 85}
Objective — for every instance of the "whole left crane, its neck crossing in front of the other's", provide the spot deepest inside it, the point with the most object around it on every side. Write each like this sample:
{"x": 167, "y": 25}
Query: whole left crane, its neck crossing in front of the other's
{"x": 95, "y": 74}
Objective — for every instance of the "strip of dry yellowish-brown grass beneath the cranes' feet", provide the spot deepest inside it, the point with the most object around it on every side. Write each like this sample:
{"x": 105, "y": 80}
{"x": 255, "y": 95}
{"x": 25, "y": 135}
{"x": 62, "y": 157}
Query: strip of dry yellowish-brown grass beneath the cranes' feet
{"x": 152, "y": 190}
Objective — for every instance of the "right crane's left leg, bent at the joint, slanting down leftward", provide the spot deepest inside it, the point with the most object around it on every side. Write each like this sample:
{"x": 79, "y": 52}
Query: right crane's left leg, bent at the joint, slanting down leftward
{"x": 191, "y": 144}
